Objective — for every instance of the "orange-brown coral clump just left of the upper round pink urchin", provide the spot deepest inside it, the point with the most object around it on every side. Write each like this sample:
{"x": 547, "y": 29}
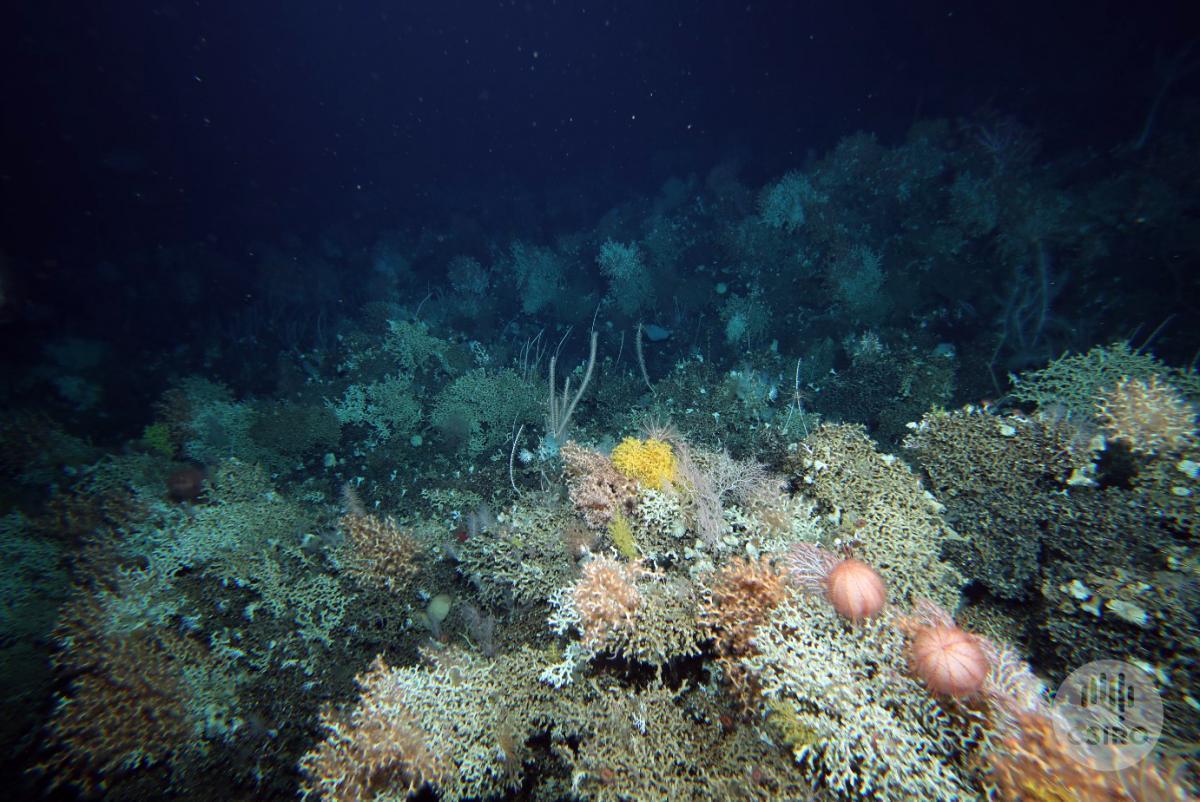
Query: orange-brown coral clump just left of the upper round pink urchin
{"x": 741, "y": 597}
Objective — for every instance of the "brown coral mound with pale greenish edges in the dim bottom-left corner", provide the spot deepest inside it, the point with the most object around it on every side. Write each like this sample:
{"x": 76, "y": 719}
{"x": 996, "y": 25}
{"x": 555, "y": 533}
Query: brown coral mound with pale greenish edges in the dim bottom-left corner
{"x": 142, "y": 693}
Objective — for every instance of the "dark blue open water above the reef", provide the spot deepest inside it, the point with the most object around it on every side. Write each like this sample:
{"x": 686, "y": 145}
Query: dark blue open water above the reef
{"x": 151, "y": 125}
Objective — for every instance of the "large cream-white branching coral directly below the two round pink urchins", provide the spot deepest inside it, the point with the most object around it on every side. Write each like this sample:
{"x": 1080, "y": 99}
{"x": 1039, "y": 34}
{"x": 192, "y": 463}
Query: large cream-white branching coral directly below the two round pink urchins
{"x": 859, "y": 726}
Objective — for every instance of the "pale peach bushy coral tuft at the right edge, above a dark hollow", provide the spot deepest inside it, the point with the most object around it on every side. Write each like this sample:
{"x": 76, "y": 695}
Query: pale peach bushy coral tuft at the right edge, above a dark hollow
{"x": 1148, "y": 416}
